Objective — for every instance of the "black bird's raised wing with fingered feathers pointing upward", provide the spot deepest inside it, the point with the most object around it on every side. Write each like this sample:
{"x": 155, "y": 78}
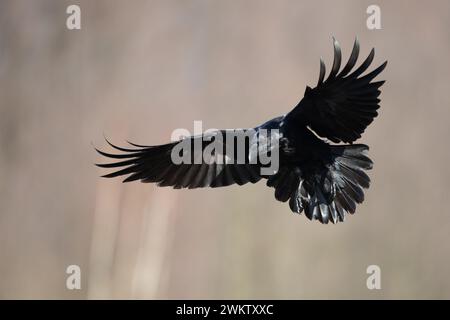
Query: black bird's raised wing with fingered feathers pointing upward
{"x": 341, "y": 107}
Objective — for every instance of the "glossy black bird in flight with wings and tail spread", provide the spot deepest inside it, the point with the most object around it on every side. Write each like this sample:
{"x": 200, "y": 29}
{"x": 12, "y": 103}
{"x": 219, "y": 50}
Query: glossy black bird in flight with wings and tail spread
{"x": 325, "y": 181}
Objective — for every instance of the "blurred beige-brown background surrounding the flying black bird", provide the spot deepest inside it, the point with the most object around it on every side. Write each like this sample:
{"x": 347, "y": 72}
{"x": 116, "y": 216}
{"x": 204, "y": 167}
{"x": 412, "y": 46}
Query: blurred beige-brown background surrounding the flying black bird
{"x": 139, "y": 69}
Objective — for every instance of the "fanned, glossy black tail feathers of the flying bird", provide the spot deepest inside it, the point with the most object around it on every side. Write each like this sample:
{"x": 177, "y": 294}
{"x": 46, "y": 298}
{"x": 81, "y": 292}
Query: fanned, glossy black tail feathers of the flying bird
{"x": 331, "y": 191}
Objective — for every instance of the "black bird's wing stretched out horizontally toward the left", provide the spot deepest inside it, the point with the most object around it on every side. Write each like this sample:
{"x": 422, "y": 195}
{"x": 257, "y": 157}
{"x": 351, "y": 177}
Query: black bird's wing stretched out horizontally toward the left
{"x": 156, "y": 164}
